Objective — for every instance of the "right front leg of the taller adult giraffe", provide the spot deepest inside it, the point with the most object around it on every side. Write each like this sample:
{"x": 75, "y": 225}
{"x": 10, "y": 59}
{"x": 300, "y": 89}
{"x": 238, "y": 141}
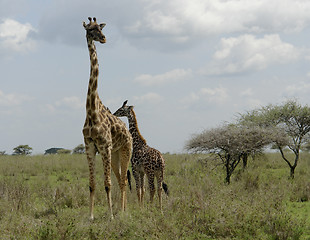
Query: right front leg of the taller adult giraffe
{"x": 106, "y": 159}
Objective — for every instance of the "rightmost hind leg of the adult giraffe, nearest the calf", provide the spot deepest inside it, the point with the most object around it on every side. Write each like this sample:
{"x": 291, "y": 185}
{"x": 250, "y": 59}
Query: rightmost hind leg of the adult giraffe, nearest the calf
{"x": 125, "y": 155}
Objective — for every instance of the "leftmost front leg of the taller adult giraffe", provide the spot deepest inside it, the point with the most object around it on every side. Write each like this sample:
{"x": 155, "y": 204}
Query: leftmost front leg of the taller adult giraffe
{"x": 91, "y": 154}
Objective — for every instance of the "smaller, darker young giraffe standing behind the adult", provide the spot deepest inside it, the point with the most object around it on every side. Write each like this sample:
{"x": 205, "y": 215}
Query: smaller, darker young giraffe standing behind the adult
{"x": 145, "y": 160}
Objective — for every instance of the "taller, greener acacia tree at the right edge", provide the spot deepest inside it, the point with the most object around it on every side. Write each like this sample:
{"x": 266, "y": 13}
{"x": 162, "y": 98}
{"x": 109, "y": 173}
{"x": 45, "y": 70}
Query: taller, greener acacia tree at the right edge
{"x": 292, "y": 119}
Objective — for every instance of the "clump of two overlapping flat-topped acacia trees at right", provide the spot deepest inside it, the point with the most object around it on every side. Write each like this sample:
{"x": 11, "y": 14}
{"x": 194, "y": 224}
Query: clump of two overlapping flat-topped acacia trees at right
{"x": 283, "y": 127}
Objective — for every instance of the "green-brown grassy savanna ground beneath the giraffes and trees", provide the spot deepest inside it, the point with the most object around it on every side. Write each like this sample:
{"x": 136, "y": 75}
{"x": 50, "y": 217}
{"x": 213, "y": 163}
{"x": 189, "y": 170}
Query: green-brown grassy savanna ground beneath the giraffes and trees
{"x": 47, "y": 197}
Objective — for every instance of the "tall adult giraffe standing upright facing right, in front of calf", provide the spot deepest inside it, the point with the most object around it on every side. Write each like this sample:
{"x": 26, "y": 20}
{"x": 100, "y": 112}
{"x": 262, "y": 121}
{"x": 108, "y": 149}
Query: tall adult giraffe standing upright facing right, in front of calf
{"x": 103, "y": 132}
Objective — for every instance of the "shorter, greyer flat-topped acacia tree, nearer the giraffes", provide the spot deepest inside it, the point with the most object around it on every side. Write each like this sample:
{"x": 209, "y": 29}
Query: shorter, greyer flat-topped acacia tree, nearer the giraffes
{"x": 231, "y": 143}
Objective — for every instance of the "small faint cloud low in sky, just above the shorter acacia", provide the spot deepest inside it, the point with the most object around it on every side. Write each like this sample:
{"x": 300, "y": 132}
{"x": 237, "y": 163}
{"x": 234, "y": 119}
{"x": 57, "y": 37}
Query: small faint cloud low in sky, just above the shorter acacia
{"x": 217, "y": 95}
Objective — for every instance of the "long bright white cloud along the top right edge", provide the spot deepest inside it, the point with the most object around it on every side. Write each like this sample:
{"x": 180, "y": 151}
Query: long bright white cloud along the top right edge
{"x": 201, "y": 18}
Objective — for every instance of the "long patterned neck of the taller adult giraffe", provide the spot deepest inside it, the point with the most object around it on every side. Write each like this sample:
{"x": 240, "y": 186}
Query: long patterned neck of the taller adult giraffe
{"x": 92, "y": 102}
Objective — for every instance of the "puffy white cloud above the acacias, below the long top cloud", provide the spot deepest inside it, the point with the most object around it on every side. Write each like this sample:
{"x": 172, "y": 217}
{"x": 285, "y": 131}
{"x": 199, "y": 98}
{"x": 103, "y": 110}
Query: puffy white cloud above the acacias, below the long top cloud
{"x": 247, "y": 53}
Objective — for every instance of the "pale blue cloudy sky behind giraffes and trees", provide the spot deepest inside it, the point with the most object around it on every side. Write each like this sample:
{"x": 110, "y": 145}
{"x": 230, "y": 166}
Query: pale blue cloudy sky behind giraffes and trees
{"x": 186, "y": 65}
